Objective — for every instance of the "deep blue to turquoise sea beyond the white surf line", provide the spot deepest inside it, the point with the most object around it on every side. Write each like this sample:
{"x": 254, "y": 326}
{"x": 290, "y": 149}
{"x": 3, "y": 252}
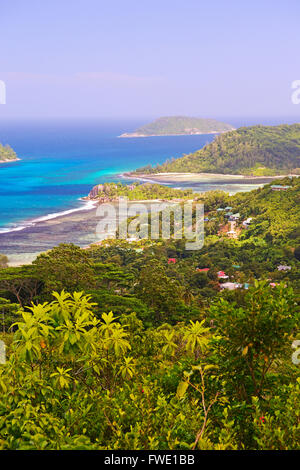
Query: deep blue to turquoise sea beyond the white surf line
{"x": 61, "y": 161}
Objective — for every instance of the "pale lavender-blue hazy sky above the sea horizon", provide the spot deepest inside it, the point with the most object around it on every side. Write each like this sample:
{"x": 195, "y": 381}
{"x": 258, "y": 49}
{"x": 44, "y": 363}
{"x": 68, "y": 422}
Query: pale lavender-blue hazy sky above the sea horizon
{"x": 134, "y": 59}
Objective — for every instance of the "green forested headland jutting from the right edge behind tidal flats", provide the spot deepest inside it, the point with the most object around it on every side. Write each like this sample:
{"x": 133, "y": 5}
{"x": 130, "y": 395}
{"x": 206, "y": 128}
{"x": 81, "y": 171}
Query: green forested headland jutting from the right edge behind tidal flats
{"x": 249, "y": 151}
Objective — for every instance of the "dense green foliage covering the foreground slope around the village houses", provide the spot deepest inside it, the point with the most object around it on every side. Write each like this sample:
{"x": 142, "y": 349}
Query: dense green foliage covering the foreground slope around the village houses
{"x": 180, "y": 363}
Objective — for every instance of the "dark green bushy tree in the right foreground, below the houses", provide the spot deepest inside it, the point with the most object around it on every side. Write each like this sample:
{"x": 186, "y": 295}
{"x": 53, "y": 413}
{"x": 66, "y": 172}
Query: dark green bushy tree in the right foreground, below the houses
{"x": 253, "y": 335}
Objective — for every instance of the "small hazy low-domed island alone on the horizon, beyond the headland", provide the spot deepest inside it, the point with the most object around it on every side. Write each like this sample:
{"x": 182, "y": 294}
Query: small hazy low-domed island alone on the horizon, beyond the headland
{"x": 180, "y": 125}
